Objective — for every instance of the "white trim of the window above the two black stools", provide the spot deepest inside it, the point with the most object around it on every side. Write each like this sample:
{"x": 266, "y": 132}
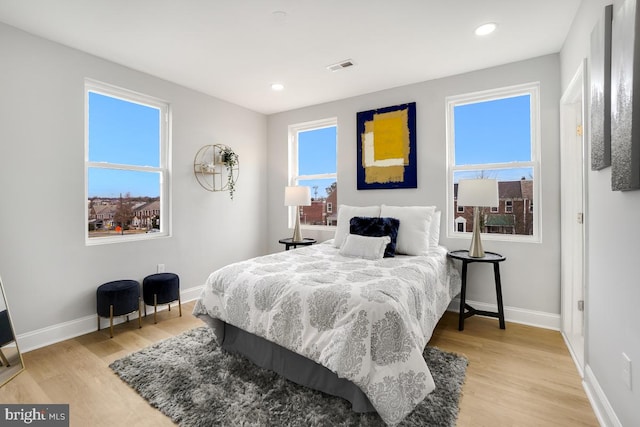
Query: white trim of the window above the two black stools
{"x": 95, "y": 86}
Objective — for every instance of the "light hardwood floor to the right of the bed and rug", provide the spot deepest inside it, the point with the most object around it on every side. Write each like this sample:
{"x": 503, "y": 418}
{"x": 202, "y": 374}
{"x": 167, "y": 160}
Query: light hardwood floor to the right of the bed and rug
{"x": 520, "y": 376}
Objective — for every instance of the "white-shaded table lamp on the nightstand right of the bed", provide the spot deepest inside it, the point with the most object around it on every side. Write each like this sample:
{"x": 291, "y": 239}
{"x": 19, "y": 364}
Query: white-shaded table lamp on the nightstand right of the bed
{"x": 477, "y": 193}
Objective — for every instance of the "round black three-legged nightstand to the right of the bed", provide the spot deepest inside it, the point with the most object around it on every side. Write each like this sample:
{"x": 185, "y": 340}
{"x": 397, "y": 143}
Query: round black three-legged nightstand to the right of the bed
{"x": 489, "y": 257}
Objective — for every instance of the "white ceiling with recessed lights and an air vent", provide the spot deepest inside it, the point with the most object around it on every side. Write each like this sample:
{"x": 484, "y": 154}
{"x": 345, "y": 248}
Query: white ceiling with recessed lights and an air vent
{"x": 235, "y": 49}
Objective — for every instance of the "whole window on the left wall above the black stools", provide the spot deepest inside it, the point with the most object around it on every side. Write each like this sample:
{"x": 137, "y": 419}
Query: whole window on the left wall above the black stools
{"x": 126, "y": 165}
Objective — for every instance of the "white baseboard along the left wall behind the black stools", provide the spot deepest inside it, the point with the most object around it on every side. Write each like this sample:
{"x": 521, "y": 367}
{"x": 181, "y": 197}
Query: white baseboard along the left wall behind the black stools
{"x": 73, "y": 328}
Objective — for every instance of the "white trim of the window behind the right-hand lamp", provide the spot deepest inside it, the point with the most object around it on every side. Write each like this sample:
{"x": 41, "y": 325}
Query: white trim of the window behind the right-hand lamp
{"x": 533, "y": 89}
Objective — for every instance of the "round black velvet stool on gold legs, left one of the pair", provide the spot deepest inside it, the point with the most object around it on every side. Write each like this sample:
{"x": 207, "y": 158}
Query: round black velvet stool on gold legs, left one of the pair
{"x": 118, "y": 298}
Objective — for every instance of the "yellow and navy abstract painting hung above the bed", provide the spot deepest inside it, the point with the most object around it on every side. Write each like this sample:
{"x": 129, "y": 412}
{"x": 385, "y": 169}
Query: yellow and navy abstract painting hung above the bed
{"x": 387, "y": 147}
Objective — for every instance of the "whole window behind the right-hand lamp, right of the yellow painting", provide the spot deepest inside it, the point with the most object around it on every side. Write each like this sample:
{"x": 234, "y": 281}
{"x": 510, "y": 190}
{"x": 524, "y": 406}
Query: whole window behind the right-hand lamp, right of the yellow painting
{"x": 495, "y": 134}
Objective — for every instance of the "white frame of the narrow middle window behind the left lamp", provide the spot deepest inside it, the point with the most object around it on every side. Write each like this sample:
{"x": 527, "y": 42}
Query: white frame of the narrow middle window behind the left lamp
{"x": 294, "y": 176}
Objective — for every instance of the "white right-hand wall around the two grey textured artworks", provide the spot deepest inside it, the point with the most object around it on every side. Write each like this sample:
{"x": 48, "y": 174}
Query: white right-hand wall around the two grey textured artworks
{"x": 613, "y": 290}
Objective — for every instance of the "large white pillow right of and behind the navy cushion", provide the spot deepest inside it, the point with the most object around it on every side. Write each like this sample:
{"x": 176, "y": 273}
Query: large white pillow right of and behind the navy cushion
{"x": 413, "y": 233}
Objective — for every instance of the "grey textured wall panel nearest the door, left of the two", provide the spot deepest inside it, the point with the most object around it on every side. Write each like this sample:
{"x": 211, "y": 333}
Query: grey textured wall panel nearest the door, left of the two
{"x": 600, "y": 120}
